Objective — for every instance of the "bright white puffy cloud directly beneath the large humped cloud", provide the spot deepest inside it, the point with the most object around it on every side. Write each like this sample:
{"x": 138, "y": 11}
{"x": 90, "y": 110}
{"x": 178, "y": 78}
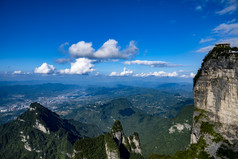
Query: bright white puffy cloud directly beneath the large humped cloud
{"x": 81, "y": 66}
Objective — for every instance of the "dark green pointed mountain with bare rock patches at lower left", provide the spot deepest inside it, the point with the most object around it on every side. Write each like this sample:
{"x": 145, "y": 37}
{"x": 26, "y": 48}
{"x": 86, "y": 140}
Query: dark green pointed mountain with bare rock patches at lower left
{"x": 40, "y": 133}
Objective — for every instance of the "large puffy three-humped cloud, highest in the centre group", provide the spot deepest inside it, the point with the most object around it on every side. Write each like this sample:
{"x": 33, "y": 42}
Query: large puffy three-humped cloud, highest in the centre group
{"x": 109, "y": 50}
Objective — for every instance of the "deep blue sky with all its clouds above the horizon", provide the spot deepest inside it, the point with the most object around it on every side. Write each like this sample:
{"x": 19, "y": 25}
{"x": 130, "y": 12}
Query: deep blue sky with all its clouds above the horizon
{"x": 134, "y": 38}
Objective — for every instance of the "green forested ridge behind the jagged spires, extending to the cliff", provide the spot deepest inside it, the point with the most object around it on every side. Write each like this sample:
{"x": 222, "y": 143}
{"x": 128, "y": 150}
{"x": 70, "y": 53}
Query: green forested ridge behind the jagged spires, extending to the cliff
{"x": 153, "y": 130}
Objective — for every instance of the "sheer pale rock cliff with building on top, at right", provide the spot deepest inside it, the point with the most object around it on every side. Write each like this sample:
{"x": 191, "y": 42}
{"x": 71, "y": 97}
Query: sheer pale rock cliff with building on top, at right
{"x": 216, "y": 102}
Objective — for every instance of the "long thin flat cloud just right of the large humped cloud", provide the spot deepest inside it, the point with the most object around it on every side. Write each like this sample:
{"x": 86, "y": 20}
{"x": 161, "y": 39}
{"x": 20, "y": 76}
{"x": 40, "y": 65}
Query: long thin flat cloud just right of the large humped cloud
{"x": 151, "y": 63}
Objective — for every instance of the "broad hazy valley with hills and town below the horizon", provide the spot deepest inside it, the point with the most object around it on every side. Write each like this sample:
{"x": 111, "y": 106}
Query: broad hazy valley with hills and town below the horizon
{"x": 162, "y": 117}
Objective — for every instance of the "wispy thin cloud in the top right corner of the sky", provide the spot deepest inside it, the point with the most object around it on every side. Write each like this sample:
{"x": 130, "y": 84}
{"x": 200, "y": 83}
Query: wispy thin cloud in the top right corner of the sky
{"x": 231, "y": 7}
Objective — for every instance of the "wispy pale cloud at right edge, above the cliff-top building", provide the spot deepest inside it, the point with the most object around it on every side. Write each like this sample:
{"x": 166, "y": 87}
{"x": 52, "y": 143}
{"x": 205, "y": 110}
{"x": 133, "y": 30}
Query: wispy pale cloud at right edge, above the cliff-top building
{"x": 227, "y": 28}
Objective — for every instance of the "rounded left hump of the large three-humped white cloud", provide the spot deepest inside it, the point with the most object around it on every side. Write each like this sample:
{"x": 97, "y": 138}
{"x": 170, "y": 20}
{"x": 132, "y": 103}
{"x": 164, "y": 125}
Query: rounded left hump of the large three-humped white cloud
{"x": 81, "y": 49}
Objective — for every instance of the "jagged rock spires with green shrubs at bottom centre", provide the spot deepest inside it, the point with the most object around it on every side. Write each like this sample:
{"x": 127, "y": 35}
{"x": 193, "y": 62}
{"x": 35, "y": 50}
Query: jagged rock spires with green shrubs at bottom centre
{"x": 112, "y": 145}
